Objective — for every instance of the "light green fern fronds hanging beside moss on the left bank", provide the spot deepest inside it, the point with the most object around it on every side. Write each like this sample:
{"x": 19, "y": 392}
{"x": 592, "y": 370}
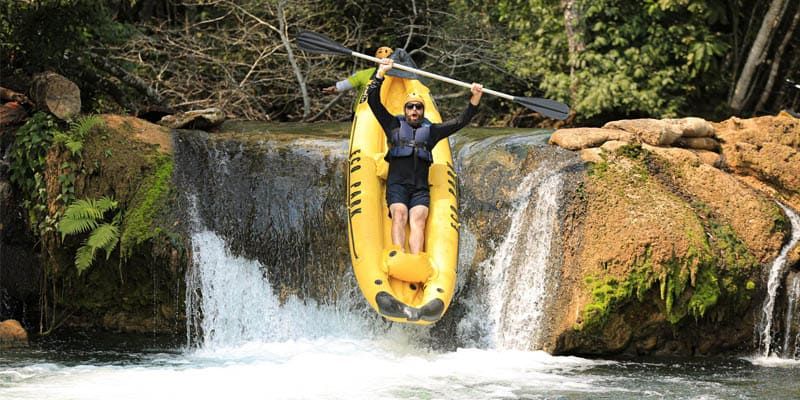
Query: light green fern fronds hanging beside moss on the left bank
{"x": 88, "y": 215}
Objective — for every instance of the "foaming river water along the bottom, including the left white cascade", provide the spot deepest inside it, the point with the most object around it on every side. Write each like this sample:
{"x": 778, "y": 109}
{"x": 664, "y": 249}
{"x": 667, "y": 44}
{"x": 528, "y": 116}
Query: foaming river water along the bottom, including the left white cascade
{"x": 255, "y": 347}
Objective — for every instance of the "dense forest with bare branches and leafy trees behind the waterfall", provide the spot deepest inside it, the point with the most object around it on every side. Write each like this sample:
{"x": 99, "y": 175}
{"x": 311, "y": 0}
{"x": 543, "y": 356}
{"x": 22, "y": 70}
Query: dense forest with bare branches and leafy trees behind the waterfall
{"x": 608, "y": 59}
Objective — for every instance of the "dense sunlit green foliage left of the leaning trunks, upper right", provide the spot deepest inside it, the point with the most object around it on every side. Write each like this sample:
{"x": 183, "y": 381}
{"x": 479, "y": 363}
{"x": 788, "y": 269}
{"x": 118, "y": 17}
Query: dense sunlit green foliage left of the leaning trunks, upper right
{"x": 637, "y": 58}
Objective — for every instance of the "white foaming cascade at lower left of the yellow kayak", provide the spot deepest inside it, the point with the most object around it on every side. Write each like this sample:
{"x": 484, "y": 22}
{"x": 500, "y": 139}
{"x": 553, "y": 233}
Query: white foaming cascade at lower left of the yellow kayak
{"x": 237, "y": 305}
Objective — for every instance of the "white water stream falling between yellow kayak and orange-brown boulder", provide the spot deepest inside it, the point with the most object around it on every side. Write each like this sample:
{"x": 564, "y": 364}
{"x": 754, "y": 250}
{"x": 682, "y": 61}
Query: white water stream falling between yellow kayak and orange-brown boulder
{"x": 507, "y": 308}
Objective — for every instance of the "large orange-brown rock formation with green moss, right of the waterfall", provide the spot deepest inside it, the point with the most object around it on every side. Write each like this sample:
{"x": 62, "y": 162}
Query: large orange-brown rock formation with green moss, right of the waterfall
{"x": 669, "y": 247}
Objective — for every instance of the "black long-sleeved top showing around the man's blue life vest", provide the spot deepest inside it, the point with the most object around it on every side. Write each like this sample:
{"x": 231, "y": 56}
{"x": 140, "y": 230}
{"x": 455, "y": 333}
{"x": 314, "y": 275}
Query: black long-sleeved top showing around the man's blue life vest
{"x": 412, "y": 171}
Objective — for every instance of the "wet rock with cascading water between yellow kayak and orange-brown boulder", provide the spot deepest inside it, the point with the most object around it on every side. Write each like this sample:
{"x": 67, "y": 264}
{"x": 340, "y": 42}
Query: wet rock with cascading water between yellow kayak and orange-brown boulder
{"x": 500, "y": 178}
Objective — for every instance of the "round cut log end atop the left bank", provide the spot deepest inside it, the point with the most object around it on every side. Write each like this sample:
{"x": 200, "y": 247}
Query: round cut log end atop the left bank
{"x": 56, "y": 94}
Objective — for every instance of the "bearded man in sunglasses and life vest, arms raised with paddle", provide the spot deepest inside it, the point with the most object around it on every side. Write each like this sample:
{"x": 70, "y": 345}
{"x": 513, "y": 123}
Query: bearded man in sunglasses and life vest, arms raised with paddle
{"x": 412, "y": 138}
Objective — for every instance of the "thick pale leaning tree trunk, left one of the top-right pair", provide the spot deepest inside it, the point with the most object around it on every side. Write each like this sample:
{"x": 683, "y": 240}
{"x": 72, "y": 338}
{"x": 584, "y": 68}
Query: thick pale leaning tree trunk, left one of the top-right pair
{"x": 757, "y": 54}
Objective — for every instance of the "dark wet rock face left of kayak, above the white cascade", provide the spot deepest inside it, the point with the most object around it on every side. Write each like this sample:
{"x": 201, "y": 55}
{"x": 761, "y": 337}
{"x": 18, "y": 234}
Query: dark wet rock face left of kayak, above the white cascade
{"x": 275, "y": 198}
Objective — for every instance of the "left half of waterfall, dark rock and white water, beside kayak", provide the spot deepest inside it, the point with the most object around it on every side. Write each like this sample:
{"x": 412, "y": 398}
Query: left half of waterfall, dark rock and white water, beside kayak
{"x": 269, "y": 250}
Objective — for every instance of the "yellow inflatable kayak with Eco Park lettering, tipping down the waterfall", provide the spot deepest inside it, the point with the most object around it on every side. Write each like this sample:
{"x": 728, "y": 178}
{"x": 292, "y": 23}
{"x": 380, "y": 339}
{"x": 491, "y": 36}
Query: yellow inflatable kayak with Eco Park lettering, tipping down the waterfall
{"x": 400, "y": 286}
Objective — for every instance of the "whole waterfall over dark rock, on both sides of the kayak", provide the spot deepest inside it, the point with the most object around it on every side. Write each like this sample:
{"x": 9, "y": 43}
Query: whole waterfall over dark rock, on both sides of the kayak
{"x": 269, "y": 245}
